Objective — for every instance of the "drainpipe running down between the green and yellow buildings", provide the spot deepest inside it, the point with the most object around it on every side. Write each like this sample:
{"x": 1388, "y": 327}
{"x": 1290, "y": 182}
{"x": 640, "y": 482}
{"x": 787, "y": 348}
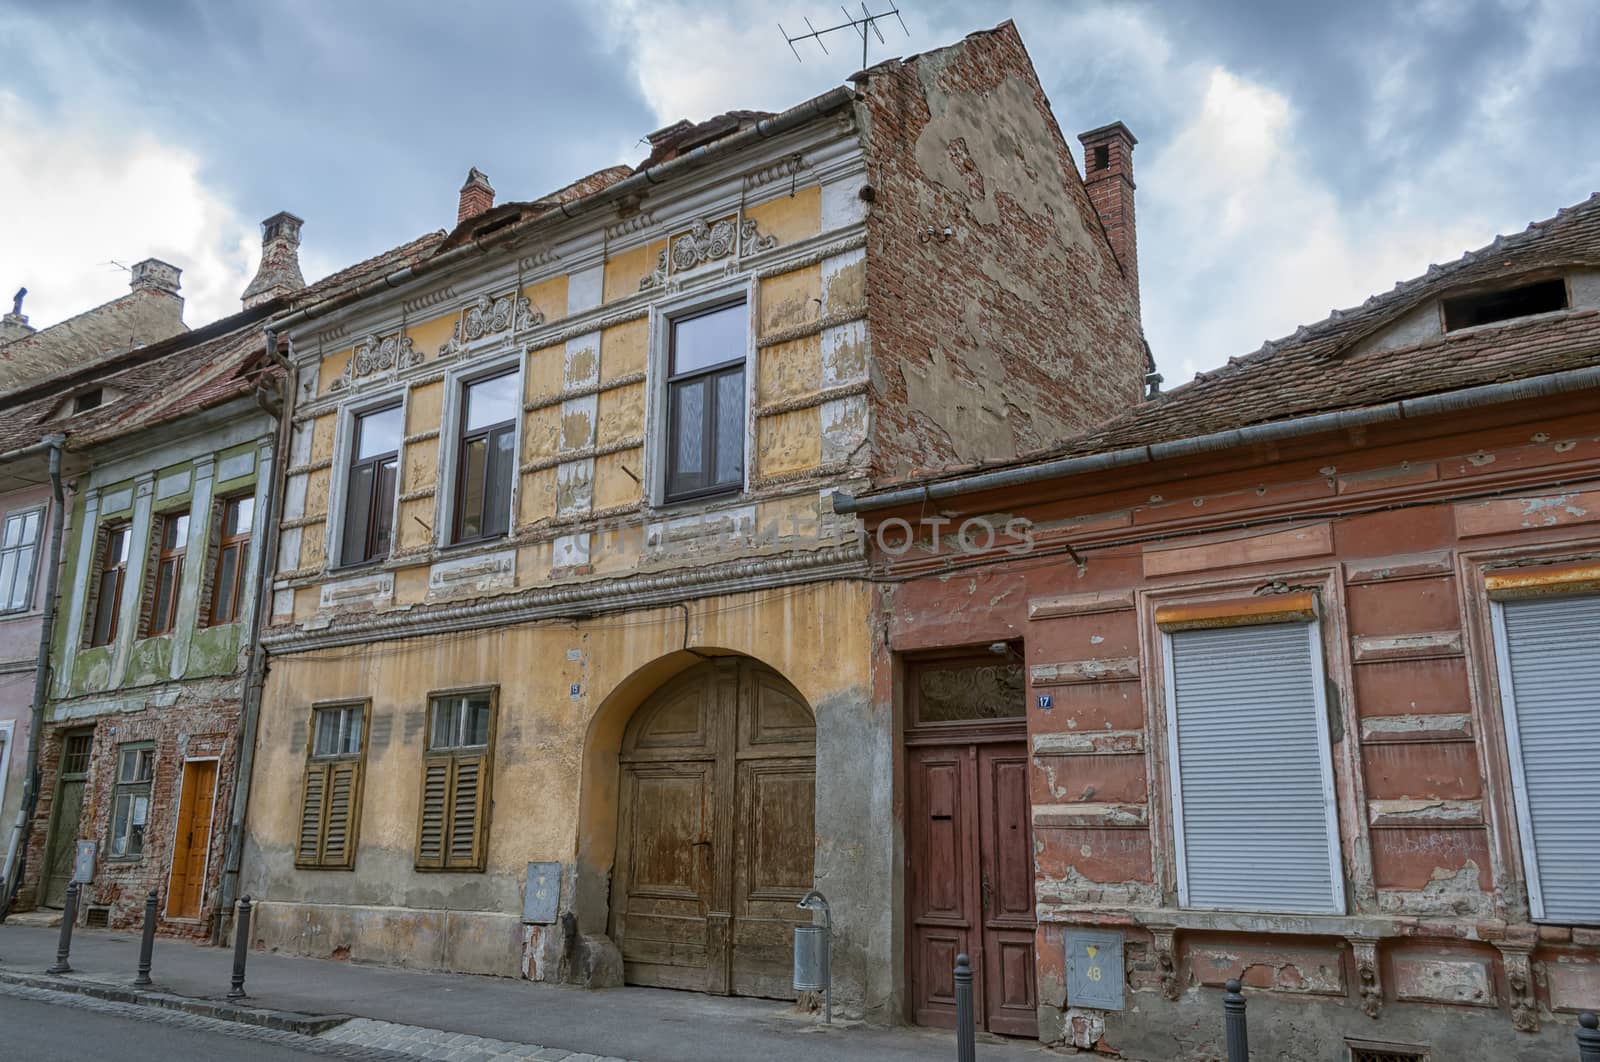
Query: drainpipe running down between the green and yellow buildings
{"x": 257, "y": 655}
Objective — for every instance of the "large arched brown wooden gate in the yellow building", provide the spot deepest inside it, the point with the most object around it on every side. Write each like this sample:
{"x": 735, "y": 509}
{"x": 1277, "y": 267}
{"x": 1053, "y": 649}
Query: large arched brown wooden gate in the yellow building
{"x": 716, "y": 832}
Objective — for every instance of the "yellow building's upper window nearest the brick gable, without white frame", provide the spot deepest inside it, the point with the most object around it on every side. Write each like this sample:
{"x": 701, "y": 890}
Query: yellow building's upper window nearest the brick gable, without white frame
{"x": 706, "y": 402}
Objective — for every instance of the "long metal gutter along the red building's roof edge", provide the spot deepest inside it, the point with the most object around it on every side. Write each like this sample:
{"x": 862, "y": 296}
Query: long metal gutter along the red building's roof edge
{"x": 1274, "y": 433}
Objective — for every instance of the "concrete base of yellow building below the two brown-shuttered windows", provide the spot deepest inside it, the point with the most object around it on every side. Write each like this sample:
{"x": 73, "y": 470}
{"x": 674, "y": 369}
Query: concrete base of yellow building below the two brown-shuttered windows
{"x": 468, "y": 943}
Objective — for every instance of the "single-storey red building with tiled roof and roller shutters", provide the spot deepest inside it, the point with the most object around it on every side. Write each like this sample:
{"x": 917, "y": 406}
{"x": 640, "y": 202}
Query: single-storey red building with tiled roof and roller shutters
{"x": 1286, "y": 676}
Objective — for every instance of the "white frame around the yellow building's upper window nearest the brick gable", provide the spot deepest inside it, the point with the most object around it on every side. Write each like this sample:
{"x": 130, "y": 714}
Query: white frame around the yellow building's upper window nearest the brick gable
{"x": 662, "y": 317}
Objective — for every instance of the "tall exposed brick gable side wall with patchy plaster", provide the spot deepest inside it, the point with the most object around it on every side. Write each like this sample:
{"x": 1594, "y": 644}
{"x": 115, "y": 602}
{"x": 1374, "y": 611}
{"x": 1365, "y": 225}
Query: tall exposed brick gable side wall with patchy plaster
{"x": 1020, "y": 327}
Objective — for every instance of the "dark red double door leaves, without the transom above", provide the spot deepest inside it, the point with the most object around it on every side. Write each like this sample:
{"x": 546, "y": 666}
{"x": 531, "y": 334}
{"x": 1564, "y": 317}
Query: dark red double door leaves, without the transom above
{"x": 972, "y": 884}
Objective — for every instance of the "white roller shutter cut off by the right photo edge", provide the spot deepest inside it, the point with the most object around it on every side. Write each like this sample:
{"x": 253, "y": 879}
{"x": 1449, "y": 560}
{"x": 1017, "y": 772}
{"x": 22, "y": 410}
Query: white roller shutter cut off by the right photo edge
{"x": 1550, "y": 668}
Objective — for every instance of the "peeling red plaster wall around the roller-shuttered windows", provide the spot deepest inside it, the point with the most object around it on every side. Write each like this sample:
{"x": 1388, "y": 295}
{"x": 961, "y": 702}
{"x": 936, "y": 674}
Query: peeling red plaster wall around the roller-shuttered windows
{"x": 1393, "y": 532}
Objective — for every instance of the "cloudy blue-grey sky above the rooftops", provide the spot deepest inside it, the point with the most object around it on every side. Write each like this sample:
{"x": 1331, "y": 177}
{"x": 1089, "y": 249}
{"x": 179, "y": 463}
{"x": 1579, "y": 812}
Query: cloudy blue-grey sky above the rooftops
{"x": 1294, "y": 158}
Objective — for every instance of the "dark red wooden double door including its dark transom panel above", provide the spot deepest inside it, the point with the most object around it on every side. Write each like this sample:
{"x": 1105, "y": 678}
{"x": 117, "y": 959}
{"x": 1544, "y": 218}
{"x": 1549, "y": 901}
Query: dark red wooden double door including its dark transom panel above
{"x": 970, "y": 845}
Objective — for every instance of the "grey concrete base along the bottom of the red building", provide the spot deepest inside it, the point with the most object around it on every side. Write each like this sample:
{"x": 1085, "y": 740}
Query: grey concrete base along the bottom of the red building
{"x": 1154, "y": 1029}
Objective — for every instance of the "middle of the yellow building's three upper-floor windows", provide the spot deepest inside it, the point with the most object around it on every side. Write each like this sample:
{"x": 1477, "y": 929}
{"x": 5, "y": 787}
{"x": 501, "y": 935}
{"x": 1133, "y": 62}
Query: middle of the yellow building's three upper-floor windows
{"x": 487, "y": 457}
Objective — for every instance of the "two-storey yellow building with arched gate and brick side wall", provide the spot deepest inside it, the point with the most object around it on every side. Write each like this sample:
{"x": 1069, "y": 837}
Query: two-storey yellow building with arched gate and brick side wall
{"x": 572, "y": 673}
